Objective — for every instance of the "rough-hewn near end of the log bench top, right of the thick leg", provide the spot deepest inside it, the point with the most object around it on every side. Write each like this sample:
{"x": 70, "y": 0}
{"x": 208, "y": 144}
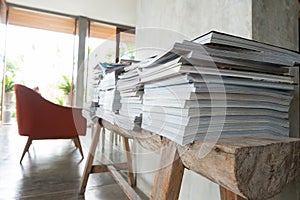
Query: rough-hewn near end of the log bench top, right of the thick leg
{"x": 254, "y": 167}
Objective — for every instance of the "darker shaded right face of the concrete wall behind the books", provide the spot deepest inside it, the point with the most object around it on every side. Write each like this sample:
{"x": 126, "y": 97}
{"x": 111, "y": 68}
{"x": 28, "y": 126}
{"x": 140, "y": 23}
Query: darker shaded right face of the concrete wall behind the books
{"x": 276, "y": 22}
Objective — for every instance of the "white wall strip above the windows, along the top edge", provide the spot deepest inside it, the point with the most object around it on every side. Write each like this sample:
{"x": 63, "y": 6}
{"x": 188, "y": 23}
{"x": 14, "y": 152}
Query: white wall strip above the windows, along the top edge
{"x": 115, "y": 11}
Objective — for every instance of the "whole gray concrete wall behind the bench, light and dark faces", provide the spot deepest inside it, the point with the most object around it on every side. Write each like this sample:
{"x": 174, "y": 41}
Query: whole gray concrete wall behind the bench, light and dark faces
{"x": 161, "y": 23}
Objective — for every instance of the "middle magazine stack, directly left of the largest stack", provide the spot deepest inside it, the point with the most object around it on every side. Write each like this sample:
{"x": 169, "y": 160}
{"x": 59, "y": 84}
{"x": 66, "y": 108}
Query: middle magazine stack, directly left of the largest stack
{"x": 131, "y": 92}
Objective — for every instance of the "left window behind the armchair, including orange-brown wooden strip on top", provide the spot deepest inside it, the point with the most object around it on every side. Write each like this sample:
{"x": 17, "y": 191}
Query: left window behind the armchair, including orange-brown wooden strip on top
{"x": 39, "y": 50}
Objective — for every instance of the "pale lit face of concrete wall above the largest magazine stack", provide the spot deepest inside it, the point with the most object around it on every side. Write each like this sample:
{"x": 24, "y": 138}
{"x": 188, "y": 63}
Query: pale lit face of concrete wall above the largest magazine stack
{"x": 160, "y": 23}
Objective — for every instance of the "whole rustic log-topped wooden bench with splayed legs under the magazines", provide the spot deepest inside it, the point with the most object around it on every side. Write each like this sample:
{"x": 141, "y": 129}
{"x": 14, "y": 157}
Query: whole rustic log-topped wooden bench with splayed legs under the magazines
{"x": 245, "y": 167}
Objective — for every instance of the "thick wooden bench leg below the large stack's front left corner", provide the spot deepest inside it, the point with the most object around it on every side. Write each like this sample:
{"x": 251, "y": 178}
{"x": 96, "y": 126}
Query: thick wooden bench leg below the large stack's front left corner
{"x": 167, "y": 181}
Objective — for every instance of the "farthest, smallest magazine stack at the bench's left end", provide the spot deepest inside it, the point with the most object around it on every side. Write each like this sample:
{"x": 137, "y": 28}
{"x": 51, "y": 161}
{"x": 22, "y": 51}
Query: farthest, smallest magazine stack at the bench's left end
{"x": 109, "y": 97}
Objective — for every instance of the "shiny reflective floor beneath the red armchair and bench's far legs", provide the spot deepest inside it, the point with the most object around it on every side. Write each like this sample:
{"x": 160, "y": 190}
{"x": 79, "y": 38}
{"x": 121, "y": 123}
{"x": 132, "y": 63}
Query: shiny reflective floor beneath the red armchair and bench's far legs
{"x": 52, "y": 169}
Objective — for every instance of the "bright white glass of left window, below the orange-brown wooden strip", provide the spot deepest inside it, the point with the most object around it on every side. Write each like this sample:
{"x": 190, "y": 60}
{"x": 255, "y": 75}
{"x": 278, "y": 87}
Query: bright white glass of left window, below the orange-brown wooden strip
{"x": 39, "y": 58}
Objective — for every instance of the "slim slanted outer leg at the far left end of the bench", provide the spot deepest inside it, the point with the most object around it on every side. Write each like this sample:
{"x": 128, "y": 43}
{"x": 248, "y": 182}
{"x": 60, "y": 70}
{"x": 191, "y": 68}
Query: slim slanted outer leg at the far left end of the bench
{"x": 90, "y": 159}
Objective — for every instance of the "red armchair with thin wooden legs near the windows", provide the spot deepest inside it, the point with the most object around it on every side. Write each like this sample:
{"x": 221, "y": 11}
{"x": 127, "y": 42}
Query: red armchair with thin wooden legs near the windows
{"x": 40, "y": 119}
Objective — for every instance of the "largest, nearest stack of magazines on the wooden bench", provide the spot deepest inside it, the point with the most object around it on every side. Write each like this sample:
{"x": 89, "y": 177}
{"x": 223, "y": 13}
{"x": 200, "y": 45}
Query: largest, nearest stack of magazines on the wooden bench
{"x": 218, "y": 89}
